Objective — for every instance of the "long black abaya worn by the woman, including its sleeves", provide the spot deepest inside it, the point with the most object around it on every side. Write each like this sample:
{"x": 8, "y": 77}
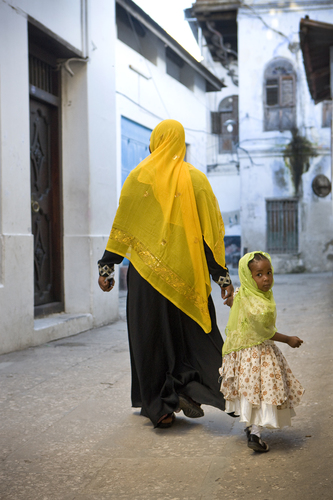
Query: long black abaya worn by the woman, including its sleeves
{"x": 170, "y": 353}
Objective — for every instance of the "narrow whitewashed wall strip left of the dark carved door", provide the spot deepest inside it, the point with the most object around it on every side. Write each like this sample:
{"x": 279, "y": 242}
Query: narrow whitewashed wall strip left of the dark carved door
{"x": 16, "y": 280}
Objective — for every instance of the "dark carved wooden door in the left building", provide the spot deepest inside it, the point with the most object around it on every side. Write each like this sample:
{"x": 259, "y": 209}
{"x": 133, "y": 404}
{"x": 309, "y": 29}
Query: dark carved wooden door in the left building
{"x": 45, "y": 207}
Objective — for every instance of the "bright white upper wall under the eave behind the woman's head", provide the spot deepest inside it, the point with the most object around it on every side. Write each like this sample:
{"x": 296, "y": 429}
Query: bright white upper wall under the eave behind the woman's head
{"x": 148, "y": 101}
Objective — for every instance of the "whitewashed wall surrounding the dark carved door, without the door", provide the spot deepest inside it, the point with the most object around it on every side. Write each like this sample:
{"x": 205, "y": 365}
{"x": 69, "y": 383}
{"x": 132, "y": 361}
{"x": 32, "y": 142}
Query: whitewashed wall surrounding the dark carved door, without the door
{"x": 88, "y": 165}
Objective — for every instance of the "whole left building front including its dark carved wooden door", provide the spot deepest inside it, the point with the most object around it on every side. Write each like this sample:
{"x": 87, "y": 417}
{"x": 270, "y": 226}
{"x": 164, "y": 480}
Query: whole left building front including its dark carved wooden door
{"x": 57, "y": 166}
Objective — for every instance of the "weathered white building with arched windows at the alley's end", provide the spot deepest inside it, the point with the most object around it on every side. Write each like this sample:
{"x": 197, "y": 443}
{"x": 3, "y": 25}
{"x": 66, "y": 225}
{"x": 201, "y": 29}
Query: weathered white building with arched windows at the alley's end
{"x": 271, "y": 129}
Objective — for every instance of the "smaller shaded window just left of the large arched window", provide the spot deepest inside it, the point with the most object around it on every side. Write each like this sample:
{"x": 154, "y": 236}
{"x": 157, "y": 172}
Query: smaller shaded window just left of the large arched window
{"x": 225, "y": 124}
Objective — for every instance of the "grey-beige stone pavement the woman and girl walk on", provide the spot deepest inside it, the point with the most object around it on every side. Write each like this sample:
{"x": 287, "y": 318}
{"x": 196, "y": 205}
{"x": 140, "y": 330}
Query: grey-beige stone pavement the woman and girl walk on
{"x": 67, "y": 431}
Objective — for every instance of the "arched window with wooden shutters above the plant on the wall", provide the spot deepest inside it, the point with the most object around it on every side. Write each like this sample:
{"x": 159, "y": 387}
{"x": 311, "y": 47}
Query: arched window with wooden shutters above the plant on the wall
{"x": 280, "y": 96}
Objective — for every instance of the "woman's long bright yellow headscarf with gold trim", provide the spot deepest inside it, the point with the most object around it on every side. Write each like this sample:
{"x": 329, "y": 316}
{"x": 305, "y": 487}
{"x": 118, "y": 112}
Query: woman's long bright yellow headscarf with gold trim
{"x": 159, "y": 225}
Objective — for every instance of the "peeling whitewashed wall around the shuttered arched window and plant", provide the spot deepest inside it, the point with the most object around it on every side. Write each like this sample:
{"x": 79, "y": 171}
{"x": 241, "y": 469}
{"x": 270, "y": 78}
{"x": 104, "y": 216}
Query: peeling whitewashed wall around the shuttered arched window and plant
{"x": 262, "y": 168}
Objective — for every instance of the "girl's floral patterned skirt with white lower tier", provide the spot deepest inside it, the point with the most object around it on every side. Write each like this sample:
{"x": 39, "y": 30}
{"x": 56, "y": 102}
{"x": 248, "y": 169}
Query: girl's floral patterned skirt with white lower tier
{"x": 259, "y": 386}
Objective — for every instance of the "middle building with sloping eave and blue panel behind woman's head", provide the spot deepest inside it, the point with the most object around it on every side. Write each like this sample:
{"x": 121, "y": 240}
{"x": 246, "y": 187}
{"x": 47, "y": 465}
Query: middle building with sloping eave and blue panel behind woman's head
{"x": 156, "y": 79}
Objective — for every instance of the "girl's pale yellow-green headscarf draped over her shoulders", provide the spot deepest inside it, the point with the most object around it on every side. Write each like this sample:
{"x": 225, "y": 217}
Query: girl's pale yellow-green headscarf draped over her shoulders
{"x": 253, "y": 314}
